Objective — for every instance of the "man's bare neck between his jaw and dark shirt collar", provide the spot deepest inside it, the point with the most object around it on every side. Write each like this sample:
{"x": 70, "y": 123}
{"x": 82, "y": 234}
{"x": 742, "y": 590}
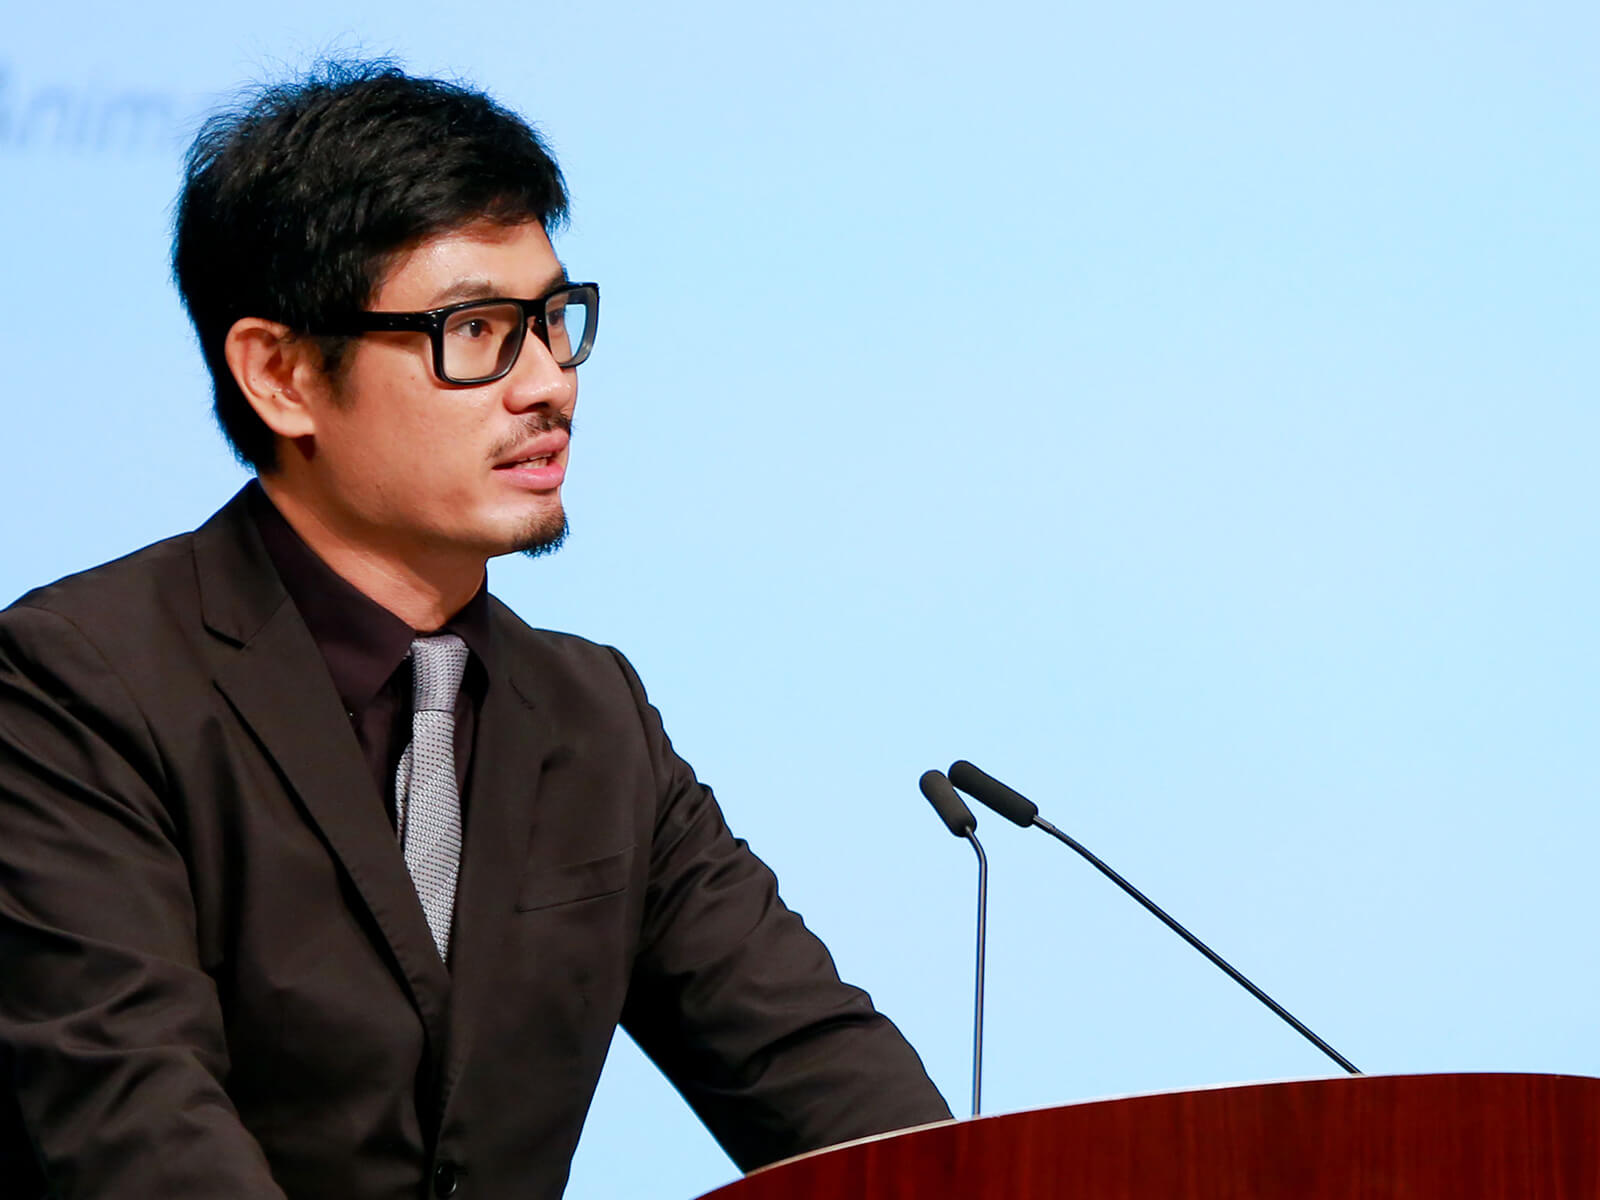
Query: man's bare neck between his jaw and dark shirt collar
{"x": 422, "y": 590}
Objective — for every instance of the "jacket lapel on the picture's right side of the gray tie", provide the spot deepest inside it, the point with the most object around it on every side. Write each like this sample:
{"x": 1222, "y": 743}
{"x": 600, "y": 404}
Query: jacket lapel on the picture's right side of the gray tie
{"x": 513, "y": 746}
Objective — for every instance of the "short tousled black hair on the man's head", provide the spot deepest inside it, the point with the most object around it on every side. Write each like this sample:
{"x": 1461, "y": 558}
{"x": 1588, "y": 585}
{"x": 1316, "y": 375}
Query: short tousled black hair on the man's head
{"x": 295, "y": 204}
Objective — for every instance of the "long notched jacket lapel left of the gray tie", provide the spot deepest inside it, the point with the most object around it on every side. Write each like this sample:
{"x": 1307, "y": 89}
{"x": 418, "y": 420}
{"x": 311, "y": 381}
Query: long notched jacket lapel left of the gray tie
{"x": 279, "y": 686}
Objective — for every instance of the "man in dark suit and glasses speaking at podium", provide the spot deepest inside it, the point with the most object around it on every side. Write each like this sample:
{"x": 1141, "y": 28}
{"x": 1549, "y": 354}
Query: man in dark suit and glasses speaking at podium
{"x": 321, "y": 873}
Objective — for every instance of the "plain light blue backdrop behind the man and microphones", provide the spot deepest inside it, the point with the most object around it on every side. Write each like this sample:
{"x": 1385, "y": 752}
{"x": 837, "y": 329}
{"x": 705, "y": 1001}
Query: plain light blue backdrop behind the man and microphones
{"x": 1183, "y": 412}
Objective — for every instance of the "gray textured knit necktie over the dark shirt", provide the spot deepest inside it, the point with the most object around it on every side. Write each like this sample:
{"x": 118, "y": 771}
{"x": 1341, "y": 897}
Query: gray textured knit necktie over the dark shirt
{"x": 428, "y": 802}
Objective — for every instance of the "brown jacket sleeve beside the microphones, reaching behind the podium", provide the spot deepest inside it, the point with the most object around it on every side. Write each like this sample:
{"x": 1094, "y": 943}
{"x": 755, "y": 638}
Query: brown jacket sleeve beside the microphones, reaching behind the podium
{"x": 740, "y": 1004}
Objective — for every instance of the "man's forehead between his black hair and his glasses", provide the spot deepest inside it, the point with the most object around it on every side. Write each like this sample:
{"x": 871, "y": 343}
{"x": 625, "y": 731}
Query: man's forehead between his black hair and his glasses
{"x": 478, "y": 260}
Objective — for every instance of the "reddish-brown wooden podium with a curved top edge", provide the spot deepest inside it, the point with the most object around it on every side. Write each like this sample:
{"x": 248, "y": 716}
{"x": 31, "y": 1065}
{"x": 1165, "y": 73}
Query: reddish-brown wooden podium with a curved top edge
{"x": 1359, "y": 1138}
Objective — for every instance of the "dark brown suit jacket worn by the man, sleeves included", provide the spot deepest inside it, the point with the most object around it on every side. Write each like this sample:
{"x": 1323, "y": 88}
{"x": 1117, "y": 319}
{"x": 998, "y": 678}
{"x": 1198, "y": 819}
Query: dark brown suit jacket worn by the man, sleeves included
{"x": 215, "y": 975}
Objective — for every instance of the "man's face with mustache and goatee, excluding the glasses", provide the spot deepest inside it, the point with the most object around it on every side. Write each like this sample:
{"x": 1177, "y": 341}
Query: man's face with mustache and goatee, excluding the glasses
{"x": 412, "y": 466}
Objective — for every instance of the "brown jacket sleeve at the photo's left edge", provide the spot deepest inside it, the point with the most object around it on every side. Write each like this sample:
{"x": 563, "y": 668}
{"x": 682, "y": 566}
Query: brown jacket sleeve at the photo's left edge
{"x": 111, "y": 1031}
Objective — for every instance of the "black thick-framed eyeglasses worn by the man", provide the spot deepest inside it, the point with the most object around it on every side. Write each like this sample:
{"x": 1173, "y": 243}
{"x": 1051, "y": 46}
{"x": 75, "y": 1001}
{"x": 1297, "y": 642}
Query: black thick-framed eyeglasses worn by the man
{"x": 479, "y": 342}
